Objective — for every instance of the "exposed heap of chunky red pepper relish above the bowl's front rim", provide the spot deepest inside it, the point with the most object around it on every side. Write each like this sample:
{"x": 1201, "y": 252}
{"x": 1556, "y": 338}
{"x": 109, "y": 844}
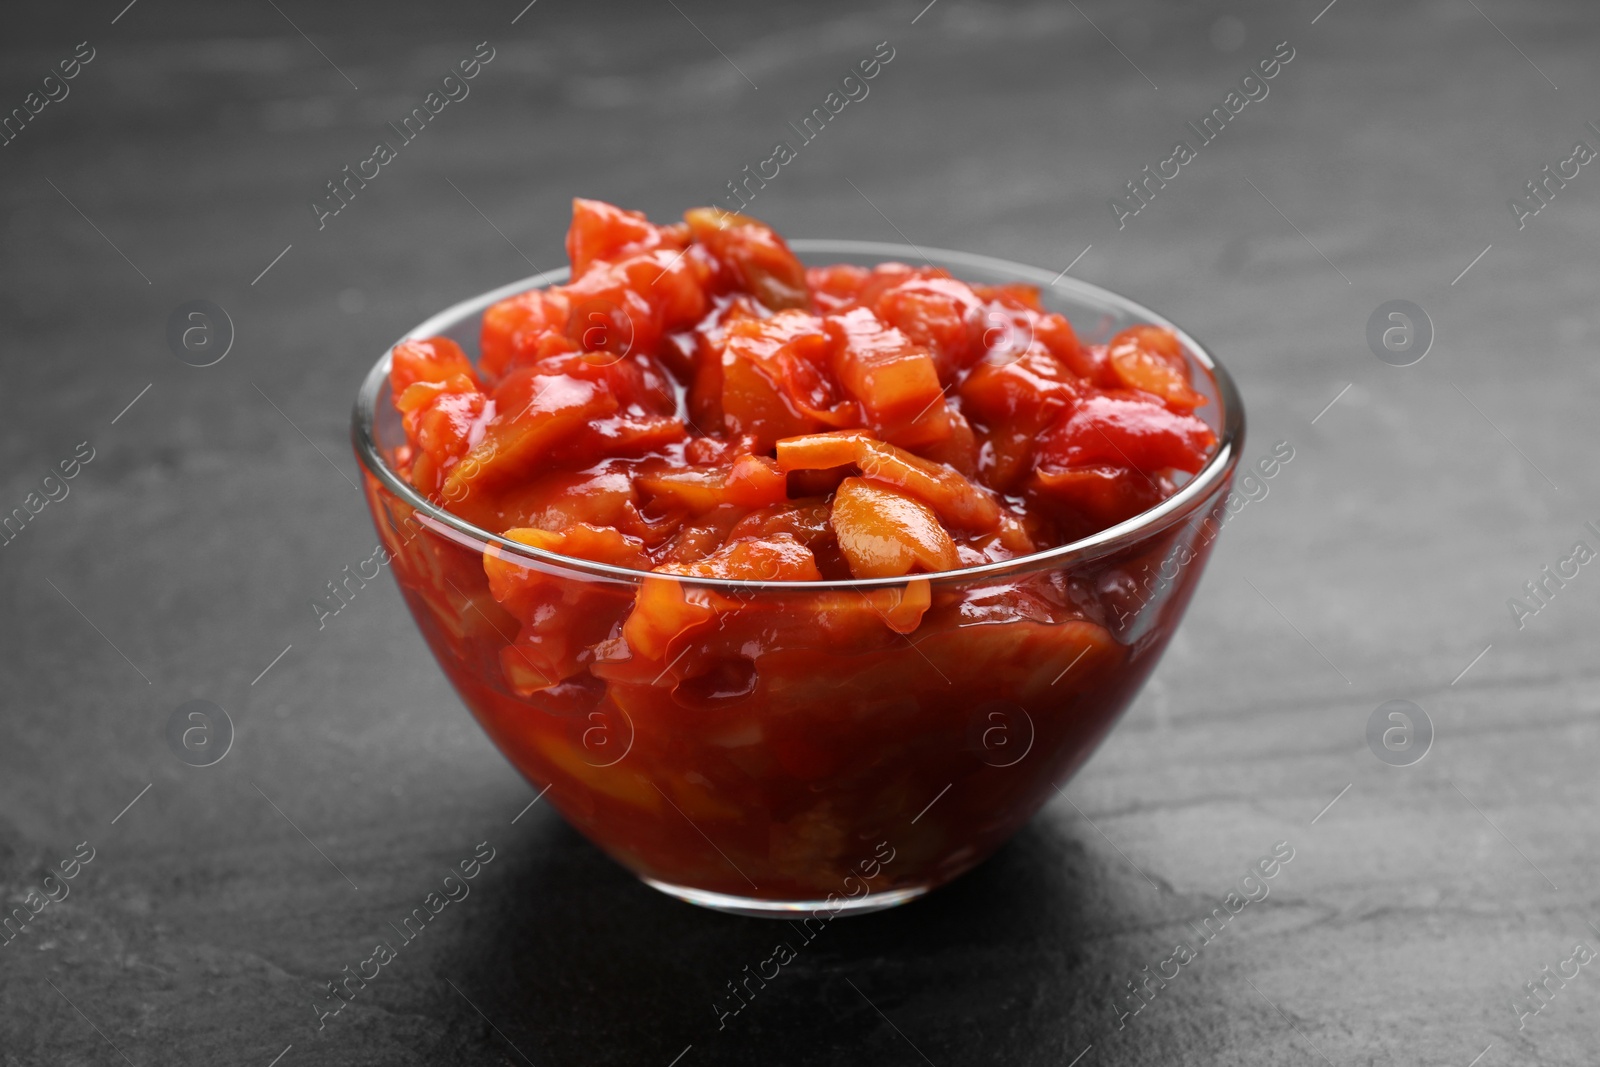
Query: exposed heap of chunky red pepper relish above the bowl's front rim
{"x": 698, "y": 399}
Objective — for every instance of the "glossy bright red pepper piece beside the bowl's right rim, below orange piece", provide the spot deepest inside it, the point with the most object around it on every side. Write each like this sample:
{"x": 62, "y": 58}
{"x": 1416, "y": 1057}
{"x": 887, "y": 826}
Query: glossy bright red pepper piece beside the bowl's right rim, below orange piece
{"x": 1134, "y": 431}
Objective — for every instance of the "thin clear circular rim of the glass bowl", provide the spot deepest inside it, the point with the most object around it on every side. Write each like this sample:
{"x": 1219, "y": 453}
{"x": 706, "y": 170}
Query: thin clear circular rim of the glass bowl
{"x": 1150, "y": 522}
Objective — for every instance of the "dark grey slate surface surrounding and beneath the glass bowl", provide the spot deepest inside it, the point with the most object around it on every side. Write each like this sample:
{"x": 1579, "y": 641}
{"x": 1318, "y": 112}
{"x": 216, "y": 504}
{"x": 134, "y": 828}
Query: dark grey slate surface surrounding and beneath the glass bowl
{"x": 1378, "y": 567}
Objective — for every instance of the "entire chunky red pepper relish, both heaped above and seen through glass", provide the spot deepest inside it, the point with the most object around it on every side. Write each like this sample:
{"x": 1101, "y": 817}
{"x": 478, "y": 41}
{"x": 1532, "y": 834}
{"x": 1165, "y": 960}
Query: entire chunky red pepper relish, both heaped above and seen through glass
{"x": 697, "y": 402}
